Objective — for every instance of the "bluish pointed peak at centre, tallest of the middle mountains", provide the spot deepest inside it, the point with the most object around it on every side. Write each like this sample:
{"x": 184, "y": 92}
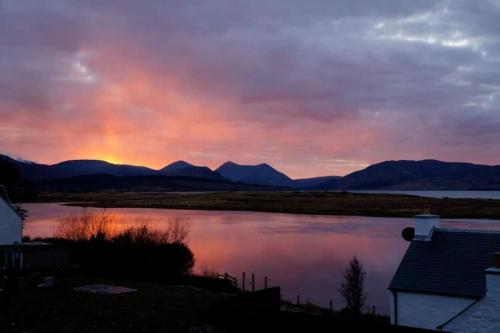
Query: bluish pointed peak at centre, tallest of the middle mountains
{"x": 262, "y": 174}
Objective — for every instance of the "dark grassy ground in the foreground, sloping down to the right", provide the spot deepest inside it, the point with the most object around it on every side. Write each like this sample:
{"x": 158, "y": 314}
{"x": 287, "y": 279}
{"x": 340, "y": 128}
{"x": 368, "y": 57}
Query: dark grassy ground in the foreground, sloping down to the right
{"x": 164, "y": 308}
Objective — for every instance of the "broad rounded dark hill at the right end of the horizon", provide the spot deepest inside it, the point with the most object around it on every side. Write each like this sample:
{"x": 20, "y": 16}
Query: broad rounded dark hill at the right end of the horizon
{"x": 419, "y": 175}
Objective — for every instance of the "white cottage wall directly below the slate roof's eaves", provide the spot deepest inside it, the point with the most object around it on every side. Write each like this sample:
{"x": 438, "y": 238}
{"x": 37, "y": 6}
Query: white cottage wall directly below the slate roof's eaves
{"x": 426, "y": 311}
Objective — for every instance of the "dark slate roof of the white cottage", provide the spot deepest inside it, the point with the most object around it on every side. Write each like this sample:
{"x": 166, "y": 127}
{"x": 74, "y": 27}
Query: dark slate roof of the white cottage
{"x": 451, "y": 263}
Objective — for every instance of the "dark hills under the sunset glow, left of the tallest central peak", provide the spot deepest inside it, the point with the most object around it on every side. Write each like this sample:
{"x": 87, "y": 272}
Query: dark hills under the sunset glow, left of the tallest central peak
{"x": 95, "y": 175}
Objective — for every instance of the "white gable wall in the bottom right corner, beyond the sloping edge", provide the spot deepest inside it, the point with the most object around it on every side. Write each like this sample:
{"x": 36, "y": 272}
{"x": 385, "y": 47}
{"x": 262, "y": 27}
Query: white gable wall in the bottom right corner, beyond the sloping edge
{"x": 484, "y": 316}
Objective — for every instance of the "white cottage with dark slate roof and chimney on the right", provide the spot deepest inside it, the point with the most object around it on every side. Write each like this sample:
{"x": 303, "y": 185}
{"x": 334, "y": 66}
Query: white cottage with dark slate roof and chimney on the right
{"x": 449, "y": 280}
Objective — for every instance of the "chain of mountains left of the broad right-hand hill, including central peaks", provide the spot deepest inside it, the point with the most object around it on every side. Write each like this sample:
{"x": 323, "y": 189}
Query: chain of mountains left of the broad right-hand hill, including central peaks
{"x": 64, "y": 174}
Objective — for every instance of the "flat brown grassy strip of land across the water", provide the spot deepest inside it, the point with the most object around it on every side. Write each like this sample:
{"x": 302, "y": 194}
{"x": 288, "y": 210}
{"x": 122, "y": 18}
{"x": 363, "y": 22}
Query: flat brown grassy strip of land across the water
{"x": 385, "y": 205}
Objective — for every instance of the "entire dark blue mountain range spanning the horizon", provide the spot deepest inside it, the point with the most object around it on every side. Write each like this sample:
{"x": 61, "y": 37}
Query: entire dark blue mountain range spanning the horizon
{"x": 181, "y": 175}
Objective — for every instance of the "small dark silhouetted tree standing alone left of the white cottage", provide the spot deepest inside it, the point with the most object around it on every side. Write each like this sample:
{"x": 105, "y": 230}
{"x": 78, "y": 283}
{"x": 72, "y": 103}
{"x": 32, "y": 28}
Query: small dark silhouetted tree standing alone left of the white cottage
{"x": 352, "y": 288}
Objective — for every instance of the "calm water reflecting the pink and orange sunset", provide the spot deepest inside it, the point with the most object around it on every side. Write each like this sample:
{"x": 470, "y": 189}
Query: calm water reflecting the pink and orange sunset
{"x": 303, "y": 254}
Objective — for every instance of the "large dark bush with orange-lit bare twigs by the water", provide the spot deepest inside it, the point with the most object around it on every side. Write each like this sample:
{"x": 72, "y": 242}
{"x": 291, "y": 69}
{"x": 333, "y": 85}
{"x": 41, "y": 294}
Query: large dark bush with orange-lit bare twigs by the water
{"x": 96, "y": 247}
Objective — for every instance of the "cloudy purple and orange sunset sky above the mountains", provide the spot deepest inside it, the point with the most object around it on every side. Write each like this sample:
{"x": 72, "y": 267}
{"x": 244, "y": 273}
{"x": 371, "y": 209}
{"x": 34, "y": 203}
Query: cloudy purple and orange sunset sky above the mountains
{"x": 310, "y": 87}
